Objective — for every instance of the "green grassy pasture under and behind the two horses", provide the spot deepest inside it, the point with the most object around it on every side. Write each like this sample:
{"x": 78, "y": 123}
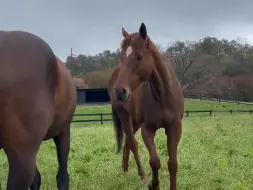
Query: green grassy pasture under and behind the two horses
{"x": 215, "y": 152}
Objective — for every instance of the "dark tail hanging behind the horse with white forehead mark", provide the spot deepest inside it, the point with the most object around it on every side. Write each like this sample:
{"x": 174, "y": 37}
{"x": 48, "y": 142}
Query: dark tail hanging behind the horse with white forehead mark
{"x": 118, "y": 129}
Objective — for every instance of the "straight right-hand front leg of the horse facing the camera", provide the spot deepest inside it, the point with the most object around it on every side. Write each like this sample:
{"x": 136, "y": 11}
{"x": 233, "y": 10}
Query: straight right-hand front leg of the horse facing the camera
{"x": 173, "y": 133}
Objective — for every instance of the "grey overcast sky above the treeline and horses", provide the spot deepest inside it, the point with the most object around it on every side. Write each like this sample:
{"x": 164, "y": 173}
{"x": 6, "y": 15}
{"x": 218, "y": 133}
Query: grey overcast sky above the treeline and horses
{"x": 91, "y": 26}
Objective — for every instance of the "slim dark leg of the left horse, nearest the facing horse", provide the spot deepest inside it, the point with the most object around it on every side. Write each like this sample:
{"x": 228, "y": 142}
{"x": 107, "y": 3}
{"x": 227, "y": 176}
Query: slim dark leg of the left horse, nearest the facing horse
{"x": 62, "y": 142}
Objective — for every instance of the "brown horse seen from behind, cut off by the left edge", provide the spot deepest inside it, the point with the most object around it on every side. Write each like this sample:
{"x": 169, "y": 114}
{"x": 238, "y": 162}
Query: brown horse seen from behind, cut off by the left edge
{"x": 37, "y": 102}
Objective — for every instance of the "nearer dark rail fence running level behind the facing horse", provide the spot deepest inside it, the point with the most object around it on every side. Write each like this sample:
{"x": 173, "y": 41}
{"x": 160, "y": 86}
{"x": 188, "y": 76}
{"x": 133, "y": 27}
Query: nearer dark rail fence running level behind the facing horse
{"x": 187, "y": 114}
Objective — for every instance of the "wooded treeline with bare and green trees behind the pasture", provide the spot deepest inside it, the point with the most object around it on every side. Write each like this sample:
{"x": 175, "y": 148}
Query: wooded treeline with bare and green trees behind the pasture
{"x": 210, "y": 65}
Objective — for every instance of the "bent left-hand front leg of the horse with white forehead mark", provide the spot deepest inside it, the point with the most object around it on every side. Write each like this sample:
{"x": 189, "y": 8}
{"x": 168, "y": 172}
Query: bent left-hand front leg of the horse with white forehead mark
{"x": 148, "y": 136}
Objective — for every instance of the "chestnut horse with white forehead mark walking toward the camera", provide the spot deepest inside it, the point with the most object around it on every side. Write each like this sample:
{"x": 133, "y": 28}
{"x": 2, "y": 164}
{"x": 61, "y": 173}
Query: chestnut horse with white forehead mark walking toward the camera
{"x": 146, "y": 93}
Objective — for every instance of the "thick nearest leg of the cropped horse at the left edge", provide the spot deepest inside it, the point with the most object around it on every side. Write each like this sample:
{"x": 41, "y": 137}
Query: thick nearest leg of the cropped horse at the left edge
{"x": 21, "y": 168}
